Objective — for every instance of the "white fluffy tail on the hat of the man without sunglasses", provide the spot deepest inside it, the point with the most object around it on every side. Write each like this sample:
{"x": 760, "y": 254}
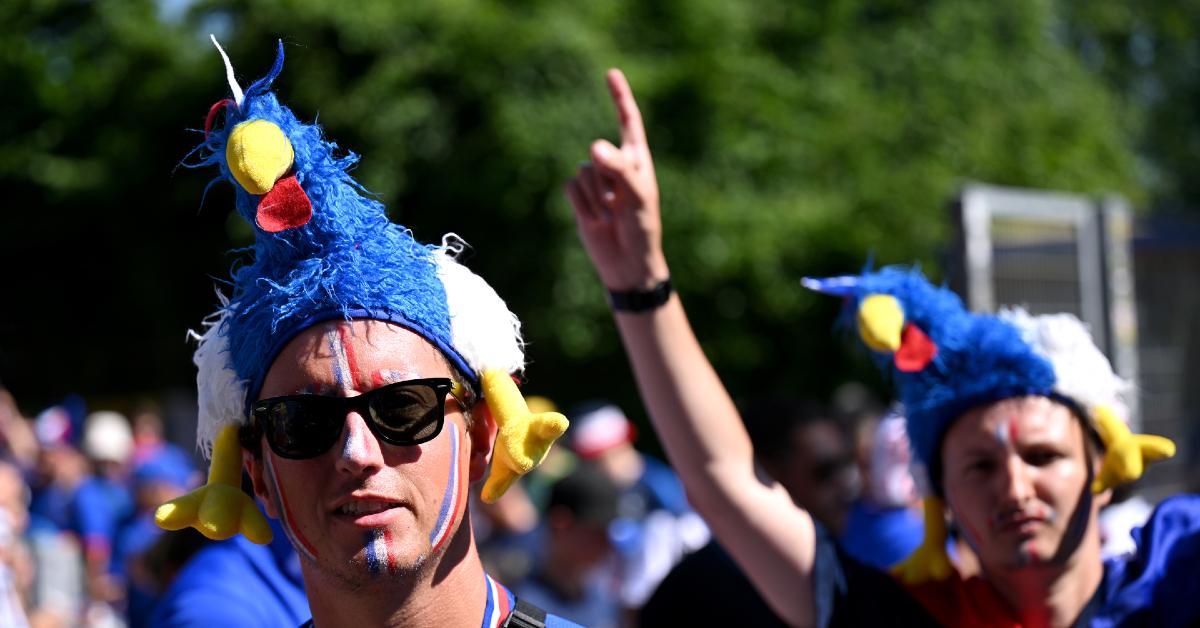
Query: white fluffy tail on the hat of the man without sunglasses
{"x": 1082, "y": 372}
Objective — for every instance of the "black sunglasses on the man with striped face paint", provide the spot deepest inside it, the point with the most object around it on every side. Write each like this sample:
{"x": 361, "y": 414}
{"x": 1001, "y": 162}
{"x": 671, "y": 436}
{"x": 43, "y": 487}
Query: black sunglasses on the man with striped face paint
{"x": 404, "y": 414}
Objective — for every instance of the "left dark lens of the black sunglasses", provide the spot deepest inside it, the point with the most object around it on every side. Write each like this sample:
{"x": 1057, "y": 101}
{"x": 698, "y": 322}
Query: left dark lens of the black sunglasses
{"x": 302, "y": 427}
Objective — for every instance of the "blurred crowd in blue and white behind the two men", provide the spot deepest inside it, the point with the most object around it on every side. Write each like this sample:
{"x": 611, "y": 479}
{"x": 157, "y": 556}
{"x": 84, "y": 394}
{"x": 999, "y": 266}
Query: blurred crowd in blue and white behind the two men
{"x": 601, "y": 534}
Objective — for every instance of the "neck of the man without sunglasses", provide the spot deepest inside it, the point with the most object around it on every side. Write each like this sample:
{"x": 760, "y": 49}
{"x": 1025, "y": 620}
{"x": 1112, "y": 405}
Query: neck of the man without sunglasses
{"x": 1053, "y": 595}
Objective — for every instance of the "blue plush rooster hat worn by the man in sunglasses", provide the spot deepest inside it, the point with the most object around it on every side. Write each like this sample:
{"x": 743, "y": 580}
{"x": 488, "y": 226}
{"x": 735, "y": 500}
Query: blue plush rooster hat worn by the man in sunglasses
{"x": 325, "y": 250}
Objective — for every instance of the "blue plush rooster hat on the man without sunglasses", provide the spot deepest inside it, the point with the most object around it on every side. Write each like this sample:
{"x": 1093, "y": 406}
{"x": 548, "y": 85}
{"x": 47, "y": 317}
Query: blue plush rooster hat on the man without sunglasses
{"x": 945, "y": 361}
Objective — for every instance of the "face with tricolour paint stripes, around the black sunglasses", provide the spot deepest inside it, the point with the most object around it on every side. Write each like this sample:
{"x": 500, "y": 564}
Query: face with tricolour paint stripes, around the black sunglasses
{"x": 365, "y": 509}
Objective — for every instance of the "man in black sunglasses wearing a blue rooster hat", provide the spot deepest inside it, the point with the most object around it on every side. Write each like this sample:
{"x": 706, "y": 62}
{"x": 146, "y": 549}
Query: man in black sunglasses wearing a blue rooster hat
{"x": 363, "y": 380}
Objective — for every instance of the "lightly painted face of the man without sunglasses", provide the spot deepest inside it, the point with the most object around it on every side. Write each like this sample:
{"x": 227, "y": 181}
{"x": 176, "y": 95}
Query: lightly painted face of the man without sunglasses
{"x": 1016, "y": 473}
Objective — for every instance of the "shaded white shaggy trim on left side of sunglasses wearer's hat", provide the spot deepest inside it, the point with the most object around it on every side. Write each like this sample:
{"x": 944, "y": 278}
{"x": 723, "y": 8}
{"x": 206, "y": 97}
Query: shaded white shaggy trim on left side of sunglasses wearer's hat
{"x": 221, "y": 394}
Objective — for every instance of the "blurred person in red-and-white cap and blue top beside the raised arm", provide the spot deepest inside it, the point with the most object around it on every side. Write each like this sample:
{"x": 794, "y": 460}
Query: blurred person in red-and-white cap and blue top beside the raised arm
{"x": 658, "y": 527}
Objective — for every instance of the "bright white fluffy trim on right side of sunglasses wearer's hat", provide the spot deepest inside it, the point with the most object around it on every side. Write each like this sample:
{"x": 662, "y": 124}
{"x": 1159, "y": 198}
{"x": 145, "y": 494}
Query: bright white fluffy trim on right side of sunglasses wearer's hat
{"x": 483, "y": 330}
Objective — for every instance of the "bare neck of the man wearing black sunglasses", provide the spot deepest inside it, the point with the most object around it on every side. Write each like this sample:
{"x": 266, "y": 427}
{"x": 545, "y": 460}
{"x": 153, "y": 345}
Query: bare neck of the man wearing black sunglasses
{"x": 433, "y": 596}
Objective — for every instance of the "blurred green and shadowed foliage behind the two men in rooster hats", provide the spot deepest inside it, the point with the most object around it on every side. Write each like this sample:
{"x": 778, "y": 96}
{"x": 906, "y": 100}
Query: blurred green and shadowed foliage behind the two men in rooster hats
{"x": 791, "y": 139}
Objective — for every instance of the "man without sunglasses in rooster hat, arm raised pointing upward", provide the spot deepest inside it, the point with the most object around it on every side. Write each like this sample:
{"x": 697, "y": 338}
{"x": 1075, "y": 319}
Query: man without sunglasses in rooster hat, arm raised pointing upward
{"x": 1018, "y": 420}
